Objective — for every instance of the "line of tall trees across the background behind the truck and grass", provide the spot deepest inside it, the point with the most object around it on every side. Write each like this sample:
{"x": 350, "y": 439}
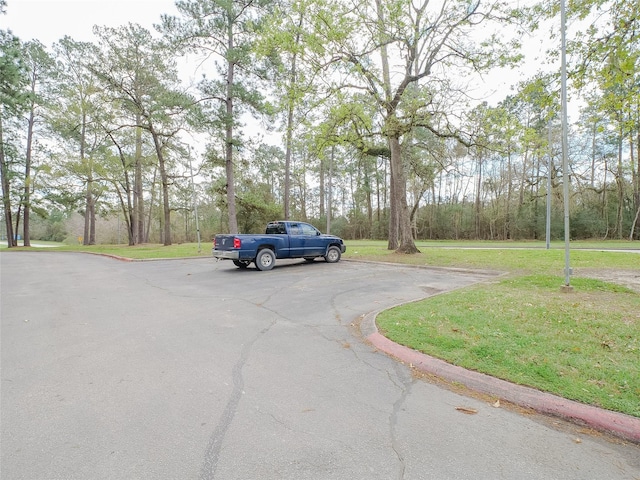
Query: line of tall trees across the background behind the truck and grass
{"x": 355, "y": 116}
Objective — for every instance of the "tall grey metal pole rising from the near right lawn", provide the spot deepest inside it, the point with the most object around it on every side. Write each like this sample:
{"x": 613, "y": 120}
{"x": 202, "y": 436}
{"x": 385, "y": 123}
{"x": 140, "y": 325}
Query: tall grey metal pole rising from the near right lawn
{"x": 565, "y": 162}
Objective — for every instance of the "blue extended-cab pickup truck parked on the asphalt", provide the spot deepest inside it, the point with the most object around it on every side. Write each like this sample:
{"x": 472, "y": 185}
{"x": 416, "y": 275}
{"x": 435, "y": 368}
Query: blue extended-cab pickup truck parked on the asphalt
{"x": 280, "y": 240}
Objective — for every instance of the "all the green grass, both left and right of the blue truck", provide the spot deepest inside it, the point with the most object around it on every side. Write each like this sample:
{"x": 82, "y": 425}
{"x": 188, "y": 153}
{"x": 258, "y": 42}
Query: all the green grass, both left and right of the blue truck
{"x": 583, "y": 345}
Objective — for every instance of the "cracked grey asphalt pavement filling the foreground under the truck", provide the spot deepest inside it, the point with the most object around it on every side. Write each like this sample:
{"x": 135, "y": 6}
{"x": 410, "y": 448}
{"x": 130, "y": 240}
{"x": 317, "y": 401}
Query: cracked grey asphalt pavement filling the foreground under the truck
{"x": 191, "y": 369}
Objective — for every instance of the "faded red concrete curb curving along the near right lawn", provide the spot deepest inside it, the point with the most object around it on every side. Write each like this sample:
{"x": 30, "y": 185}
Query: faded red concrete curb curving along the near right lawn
{"x": 620, "y": 425}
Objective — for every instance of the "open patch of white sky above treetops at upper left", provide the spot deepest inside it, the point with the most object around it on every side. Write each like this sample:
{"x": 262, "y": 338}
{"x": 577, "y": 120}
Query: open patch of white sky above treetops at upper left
{"x": 50, "y": 20}
